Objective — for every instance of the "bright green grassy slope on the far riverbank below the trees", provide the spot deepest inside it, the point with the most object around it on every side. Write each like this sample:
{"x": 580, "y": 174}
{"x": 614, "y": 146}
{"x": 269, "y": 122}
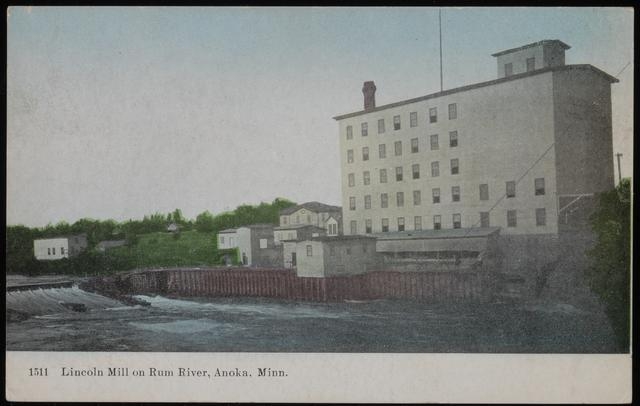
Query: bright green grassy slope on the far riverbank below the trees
{"x": 191, "y": 248}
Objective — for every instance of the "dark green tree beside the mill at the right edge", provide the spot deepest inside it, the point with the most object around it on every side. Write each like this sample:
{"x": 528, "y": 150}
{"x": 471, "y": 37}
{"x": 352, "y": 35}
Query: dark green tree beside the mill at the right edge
{"x": 609, "y": 275}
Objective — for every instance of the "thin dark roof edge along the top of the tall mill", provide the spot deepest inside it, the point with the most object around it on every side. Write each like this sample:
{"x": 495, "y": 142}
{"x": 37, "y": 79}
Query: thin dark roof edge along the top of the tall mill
{"x": 479, "y": 85}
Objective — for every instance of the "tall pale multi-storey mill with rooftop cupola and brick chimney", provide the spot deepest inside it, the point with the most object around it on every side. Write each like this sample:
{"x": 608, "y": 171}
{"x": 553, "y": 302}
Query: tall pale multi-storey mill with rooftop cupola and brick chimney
{"x": 525, "y": 152}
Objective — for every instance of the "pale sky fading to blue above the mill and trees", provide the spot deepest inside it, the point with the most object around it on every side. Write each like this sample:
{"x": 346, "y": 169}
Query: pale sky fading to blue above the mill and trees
{"x": 114, "y": 113}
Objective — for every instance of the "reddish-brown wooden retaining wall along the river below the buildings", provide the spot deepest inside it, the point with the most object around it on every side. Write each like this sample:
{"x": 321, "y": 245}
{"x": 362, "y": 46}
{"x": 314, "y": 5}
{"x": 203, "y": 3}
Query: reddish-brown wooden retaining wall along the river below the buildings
{"x": 285, "y": 284}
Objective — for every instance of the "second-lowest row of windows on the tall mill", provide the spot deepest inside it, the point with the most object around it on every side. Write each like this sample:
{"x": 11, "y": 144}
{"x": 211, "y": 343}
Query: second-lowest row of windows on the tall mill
{"x": 539, "y": 190}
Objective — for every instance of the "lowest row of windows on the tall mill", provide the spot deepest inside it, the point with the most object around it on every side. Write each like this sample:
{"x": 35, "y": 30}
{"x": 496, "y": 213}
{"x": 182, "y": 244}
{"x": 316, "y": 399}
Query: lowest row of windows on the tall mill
{"x": 456, "y": 221}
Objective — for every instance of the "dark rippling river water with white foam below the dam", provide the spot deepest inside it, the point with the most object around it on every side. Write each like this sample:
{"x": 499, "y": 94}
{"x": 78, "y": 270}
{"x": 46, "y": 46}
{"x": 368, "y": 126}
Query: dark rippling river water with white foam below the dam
{"x": 262, "y": 325}
